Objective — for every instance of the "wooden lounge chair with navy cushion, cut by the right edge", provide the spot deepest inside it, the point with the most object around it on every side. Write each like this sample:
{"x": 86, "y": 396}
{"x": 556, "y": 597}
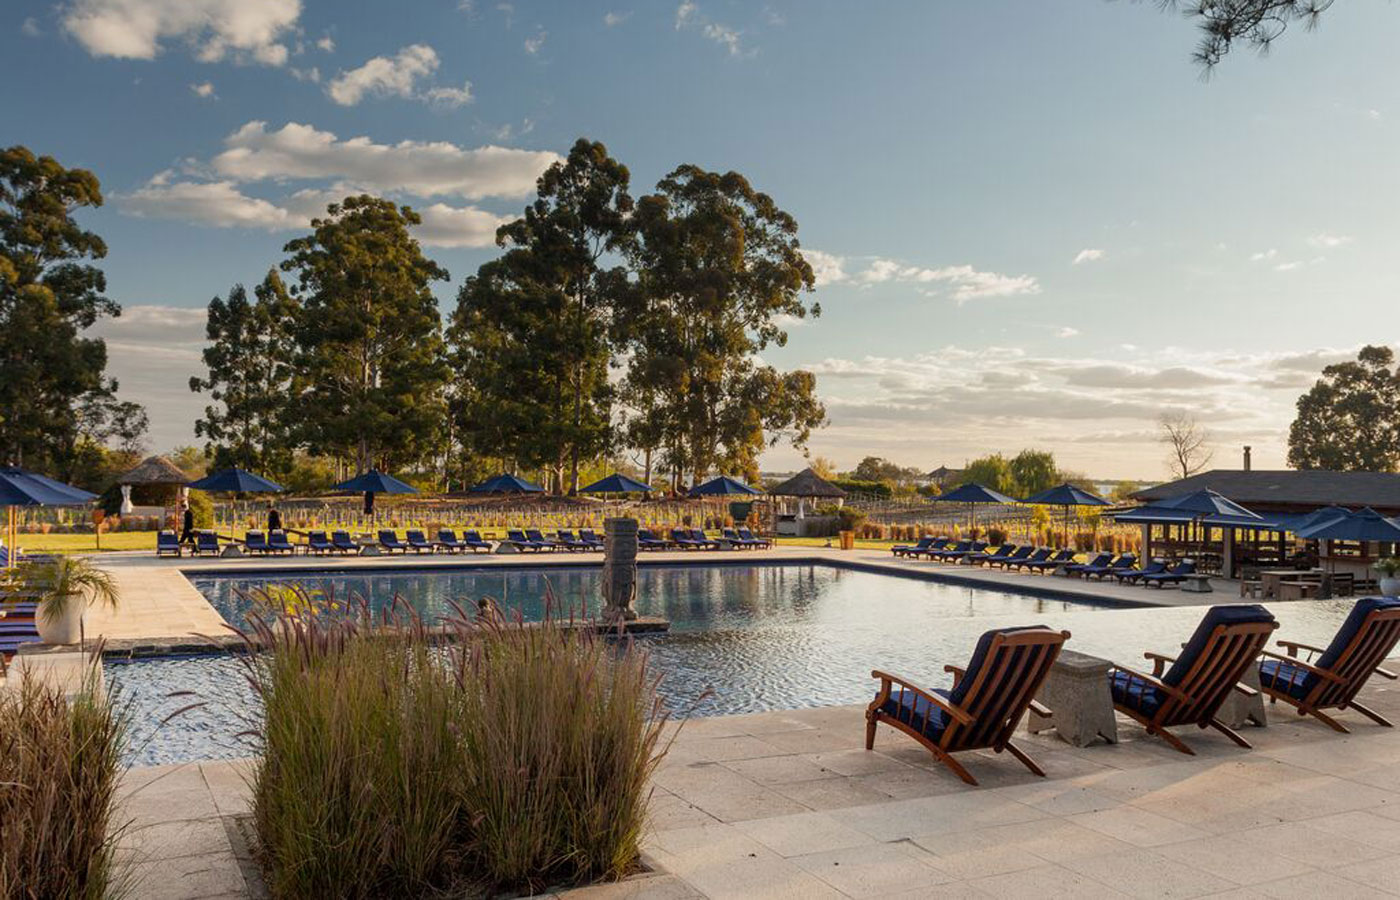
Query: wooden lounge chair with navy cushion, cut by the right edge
{"x": 1332, "y": 678}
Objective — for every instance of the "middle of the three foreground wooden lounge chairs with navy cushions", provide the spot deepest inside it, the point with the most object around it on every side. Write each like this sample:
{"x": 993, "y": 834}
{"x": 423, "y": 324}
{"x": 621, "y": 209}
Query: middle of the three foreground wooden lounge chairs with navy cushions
{"x": 1228, "y": 642}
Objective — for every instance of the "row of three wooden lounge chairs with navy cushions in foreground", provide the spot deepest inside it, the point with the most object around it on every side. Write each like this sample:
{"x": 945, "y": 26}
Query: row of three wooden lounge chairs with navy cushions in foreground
{"x": 992, "y": 695}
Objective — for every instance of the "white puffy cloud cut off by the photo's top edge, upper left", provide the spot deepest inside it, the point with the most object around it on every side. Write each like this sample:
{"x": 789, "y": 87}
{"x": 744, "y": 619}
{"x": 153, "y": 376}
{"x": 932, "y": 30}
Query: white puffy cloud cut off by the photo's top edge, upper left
{"x": 248, "y": 31}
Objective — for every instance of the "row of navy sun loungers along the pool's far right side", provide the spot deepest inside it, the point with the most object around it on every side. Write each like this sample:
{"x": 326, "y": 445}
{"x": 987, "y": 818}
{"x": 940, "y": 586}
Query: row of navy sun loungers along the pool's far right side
{"x": 1010, "y": 558}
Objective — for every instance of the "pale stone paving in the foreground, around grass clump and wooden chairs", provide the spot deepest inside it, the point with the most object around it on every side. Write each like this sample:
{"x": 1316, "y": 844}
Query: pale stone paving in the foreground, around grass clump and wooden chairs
{"x": 790, "y": 806}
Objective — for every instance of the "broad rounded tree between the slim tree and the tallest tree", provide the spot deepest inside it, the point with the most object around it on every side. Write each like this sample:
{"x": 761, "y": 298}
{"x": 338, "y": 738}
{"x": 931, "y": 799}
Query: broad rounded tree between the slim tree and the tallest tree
{"x": 370, "y": 366}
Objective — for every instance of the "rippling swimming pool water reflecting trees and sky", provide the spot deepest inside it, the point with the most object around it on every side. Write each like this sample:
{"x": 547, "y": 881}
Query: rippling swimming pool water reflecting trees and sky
{"x": 757, "y": 638}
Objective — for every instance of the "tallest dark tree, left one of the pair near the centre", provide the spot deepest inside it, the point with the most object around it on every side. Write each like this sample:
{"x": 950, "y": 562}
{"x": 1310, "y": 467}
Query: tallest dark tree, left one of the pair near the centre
{"x": 534, "y": 325}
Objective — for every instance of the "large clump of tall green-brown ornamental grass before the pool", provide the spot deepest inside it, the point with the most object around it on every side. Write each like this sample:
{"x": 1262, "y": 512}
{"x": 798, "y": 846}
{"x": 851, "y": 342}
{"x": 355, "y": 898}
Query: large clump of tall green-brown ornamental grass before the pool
{"x": 516, "y": 759}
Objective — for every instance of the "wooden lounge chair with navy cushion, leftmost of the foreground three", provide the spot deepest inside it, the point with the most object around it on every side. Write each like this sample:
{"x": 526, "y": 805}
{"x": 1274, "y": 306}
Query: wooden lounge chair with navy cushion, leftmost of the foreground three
{"x": 985, "y": 706}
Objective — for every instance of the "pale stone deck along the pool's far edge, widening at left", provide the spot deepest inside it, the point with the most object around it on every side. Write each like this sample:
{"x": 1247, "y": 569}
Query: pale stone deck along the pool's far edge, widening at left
{"x": 159, "y": 604}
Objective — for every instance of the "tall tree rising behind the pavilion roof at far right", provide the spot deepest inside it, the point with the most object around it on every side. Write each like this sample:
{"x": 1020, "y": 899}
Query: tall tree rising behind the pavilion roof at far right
{"x": 1350, "y": 421}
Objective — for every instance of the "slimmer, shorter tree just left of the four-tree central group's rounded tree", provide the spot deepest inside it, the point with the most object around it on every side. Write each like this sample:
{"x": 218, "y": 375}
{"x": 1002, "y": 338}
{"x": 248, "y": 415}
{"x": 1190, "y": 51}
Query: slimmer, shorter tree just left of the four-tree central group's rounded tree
{"x": 250, "y": 362}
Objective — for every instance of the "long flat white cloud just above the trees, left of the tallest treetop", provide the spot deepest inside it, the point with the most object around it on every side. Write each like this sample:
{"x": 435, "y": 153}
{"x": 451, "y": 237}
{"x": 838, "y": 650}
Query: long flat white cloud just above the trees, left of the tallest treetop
{"x": 419, "y": 169}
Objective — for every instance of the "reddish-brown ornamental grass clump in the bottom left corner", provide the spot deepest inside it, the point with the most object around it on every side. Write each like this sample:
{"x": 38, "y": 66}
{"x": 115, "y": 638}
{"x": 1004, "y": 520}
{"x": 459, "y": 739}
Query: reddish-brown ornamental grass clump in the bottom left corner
{"x": 59, "y": 769}
